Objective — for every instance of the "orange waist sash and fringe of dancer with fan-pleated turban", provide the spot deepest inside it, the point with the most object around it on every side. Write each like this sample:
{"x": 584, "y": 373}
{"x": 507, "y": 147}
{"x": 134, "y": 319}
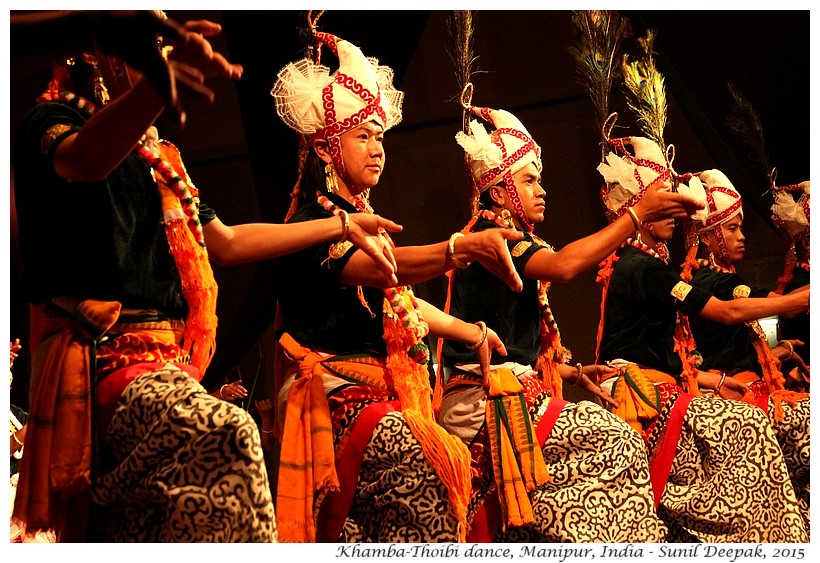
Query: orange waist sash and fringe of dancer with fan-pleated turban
{"x": 324, "y": 440}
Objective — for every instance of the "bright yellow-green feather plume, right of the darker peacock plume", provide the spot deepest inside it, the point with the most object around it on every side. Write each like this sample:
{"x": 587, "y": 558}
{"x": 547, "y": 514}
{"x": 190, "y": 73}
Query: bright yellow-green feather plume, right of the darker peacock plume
{"x": 646, "y": 93}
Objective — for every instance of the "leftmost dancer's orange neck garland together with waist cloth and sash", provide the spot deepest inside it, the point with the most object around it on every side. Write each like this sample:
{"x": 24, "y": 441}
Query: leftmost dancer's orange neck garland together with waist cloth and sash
{"x": 56, "y": 473}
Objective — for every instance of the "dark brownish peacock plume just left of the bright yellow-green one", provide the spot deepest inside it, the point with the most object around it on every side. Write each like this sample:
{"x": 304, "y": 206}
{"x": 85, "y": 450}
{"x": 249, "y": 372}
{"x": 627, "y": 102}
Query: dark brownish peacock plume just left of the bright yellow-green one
{"x": 597, "y": 54}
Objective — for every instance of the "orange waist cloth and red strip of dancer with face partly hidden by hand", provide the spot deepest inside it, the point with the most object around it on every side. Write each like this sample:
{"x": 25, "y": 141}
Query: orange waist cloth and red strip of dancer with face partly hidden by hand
{"x": 652, "y": 403}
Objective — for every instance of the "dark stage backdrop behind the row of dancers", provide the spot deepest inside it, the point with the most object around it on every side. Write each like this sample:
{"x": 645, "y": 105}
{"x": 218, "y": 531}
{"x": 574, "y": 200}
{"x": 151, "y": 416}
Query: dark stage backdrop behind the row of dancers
{"x": 243, "y": 159}
